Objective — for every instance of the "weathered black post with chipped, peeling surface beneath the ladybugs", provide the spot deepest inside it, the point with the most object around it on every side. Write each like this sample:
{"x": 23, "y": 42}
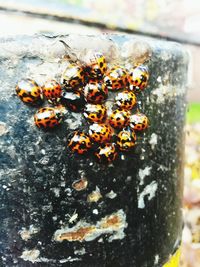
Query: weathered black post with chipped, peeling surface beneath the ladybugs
{"x": 136, "y": 218}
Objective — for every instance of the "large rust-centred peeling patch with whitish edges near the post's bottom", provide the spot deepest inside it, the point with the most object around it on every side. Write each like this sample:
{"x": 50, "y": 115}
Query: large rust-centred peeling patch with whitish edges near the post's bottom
{"x": 113, "y": 224}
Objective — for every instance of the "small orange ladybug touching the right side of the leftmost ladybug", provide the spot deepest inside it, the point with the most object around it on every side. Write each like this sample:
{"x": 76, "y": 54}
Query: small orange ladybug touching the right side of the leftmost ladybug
{"x": 52, "y": 91}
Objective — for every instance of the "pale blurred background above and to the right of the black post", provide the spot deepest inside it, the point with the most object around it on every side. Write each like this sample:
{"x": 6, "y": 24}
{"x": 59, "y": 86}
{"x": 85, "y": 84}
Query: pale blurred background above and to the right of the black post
{"x": 176, "y": 20}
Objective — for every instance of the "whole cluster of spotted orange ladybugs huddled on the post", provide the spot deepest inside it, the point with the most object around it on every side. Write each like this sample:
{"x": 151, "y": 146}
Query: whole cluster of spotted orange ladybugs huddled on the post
{"x": 88, "y": 87}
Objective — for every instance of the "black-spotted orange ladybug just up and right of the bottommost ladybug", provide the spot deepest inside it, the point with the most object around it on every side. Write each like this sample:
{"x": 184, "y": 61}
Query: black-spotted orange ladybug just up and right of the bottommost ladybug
{"x": 126, "y": 139}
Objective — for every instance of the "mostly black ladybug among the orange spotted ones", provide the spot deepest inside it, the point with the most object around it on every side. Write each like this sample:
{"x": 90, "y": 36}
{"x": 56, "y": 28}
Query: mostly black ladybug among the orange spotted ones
{"x": 74, "y": 101}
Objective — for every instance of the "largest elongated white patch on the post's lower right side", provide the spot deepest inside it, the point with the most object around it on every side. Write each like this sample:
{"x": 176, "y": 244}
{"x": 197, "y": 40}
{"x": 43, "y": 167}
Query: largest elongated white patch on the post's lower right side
{"x": 148, "y": 191}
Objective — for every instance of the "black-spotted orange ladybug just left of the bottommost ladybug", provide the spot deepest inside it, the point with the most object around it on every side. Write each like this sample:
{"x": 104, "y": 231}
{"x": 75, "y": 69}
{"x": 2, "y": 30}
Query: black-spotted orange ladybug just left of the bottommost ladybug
{"x": 79, "y": 143}
